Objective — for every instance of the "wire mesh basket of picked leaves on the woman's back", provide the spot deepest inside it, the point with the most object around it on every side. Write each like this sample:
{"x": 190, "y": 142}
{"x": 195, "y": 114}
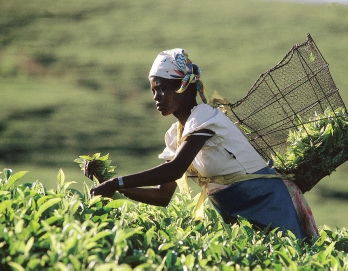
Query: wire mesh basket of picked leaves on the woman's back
{"x": 294, "y": 115}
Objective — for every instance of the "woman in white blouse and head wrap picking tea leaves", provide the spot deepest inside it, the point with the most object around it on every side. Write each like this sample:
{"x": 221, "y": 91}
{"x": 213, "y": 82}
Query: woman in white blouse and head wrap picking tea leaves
{"x": 206, "y": 144}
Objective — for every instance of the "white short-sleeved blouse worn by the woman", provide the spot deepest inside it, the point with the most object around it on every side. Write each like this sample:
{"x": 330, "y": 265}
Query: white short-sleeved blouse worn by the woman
{"x": 227, "y": 151}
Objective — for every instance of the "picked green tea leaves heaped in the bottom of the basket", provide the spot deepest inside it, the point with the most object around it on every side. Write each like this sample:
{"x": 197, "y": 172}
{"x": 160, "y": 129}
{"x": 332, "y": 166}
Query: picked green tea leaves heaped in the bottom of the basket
{"x": 316, "y": 149}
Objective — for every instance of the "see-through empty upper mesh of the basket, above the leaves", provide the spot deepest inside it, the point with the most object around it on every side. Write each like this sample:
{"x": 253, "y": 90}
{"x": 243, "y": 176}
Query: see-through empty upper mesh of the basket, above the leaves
{"x": 299, "y": 85}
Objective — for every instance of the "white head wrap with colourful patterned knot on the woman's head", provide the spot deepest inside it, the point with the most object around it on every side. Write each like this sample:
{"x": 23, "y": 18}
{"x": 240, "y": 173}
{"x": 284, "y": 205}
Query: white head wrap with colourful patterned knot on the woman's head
{"x": 175, "y": 64}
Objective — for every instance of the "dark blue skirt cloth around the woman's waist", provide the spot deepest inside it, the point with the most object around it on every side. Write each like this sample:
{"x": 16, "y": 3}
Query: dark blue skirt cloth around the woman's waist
{"x": 261, "y": 201}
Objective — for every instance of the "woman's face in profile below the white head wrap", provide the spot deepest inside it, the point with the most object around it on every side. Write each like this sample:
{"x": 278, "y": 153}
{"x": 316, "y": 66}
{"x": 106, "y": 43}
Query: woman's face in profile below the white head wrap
{"x": 164, "y": 93}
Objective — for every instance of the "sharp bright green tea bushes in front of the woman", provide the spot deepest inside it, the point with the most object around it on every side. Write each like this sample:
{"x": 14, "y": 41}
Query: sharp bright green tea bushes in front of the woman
{"x": 64, "y": 229}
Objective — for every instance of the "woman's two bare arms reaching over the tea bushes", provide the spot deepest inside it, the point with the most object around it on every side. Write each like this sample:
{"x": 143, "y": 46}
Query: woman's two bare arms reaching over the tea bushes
{"x": 163, "y": 174}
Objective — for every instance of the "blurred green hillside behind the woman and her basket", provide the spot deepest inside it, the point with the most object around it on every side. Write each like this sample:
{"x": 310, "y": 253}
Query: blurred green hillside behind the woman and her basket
{"x": 74, "y": 76}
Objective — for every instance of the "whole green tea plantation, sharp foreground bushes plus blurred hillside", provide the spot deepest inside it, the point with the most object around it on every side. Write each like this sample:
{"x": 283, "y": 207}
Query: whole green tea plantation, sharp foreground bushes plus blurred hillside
{"x": 73, "y": 81}
